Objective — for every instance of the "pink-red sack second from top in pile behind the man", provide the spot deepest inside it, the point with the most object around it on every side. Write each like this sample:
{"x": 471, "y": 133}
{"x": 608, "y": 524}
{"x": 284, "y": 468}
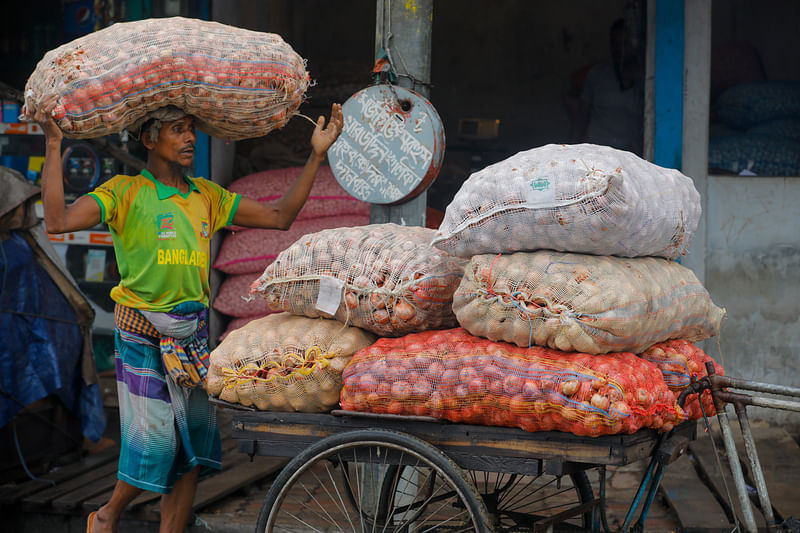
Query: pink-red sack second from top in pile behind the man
{"x": 249, "y": 251}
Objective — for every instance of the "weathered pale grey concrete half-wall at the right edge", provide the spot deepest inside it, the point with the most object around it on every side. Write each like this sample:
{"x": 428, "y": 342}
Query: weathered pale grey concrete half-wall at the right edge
{"x": 753, "y": 270}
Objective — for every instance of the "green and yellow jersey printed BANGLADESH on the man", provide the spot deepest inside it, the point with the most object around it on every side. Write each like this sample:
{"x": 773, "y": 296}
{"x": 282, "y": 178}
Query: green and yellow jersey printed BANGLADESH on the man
{"x": 161, "y": 237}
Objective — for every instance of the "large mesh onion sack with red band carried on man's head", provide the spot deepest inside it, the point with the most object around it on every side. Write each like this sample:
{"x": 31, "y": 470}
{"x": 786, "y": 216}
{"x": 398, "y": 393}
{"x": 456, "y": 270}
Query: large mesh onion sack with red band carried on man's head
{"x": 238, "y": 83}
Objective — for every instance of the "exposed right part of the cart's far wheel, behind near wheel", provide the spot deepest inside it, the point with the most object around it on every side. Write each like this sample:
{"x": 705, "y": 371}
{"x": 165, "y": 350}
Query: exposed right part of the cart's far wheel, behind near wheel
{"x": 516, "y": 502}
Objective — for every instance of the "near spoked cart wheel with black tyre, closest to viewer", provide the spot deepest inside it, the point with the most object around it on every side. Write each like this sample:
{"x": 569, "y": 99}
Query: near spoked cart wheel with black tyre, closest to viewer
{"x": 372, "y": 480}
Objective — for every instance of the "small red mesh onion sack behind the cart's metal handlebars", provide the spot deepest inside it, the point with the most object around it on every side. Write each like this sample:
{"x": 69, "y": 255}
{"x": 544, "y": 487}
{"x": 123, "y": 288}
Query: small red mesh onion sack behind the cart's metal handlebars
{"x": 679, "y": 362}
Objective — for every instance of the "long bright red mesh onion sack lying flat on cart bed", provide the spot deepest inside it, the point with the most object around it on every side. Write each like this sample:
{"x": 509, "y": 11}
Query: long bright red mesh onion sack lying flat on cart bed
{"x": 455, "y": 376}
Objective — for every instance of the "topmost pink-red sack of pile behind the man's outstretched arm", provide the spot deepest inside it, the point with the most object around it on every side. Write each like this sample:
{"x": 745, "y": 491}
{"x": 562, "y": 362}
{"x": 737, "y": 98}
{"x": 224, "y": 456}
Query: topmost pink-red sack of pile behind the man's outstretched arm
{"x": 326, "y": 199}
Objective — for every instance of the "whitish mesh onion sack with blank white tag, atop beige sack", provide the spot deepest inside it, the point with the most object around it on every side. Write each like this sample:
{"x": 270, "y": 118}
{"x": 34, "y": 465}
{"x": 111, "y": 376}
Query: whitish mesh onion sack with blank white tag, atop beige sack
{"x": 384, "y": 278}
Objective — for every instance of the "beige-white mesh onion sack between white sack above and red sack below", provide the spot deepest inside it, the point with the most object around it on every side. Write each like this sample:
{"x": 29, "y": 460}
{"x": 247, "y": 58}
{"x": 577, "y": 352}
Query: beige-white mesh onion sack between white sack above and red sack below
{"x": 583, "y": 303}
